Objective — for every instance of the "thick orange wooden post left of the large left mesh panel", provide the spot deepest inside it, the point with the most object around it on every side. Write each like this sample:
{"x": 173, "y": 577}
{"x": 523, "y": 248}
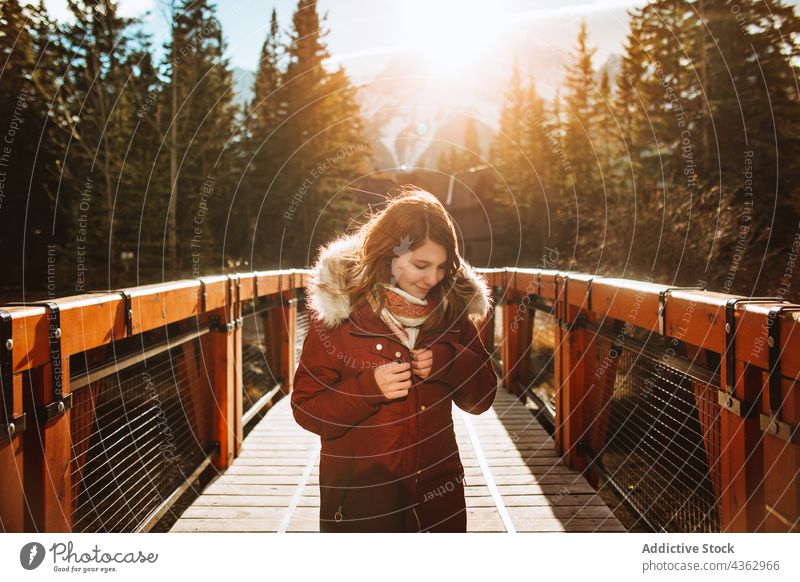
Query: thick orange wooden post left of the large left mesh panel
{"x": 48, "y": 482}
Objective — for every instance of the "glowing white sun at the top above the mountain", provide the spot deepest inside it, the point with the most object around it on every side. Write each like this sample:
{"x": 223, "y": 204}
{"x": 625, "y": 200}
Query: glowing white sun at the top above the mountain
{"x": 450, "y": 35}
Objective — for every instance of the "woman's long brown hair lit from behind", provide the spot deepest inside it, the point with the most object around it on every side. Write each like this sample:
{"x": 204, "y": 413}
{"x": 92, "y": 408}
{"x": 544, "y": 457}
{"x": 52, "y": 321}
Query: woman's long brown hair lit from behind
{"x": 412, "y": 217}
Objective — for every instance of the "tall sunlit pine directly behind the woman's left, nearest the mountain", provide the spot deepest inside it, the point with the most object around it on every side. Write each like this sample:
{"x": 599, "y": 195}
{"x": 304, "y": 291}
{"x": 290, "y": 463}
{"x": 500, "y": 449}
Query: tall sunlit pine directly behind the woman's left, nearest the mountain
{"x": 323, "y": 150}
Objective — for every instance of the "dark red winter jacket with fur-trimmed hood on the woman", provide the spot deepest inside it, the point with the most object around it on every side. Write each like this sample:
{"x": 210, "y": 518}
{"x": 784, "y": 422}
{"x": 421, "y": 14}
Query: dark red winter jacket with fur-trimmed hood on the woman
{"x": 387, "y": 465}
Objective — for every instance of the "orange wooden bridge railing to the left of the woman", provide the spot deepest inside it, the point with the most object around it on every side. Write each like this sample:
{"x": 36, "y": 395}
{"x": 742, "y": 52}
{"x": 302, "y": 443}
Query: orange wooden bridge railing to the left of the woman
{"x": 40, "y": 442}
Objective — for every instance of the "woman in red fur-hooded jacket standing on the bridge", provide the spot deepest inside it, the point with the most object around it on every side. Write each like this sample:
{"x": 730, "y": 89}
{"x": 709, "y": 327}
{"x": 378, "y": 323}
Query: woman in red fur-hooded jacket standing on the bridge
{"x": 392, "y": 343}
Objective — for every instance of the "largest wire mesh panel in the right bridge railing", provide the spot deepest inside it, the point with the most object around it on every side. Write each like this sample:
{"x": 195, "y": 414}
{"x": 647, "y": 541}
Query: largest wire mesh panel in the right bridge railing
{"x": 655, "y": 430}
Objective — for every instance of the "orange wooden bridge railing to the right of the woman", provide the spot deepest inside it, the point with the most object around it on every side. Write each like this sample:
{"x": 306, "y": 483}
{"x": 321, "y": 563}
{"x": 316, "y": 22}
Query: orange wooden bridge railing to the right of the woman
{"x": 734, "y": 363}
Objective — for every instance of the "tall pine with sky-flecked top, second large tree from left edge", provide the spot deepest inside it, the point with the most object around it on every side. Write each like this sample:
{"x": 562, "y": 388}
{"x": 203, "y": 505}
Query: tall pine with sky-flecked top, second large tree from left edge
{"x": 97, "y": 118}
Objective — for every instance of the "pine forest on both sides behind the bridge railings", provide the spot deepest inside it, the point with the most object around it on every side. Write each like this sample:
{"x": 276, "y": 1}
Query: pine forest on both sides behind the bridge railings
{"x": 123, "y": 165}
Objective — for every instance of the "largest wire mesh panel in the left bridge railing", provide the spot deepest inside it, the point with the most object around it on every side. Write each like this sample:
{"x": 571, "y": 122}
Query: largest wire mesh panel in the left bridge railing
{"x": 137, "y": 435}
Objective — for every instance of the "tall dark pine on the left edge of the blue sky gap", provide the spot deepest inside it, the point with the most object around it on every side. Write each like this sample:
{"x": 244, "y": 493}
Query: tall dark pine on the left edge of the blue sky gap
{"x": 198, "y": 120}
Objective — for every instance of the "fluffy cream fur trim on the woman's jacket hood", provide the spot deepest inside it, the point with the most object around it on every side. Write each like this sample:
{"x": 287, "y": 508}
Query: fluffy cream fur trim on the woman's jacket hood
{"x": 326, "y": 291}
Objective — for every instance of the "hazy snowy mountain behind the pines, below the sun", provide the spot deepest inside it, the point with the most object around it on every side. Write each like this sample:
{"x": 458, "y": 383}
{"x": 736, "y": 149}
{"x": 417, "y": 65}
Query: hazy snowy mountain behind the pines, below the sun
{"x": 413, "y": 114}
